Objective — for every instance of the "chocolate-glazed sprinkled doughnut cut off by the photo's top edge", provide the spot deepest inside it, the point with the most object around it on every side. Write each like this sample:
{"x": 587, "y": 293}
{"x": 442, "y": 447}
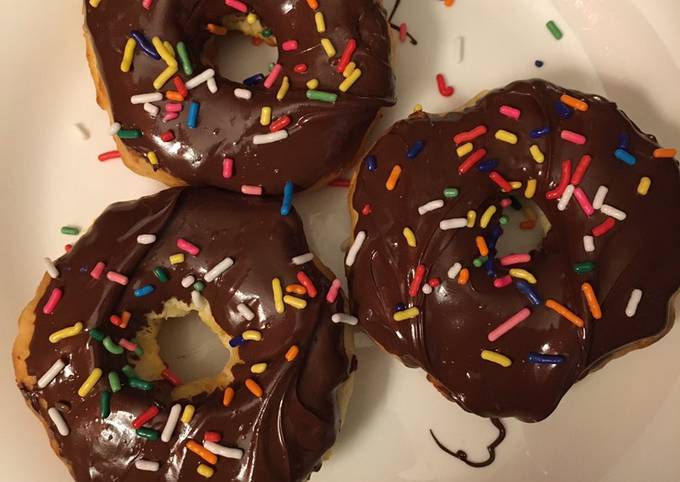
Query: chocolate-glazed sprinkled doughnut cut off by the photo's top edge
{"x": 219, "y": 132}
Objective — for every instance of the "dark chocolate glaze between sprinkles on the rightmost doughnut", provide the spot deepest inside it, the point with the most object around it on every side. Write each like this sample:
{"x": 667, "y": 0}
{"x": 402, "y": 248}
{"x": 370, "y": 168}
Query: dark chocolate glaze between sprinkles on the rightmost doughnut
{"x": 448, "y": 336}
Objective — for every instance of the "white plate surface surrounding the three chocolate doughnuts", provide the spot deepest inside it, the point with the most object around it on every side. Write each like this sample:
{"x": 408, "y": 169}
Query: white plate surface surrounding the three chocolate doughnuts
{"x": 620, "y": 424}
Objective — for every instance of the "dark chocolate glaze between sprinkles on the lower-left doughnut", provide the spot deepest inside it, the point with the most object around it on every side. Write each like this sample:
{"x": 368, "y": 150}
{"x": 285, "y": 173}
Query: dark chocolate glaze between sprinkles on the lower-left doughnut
{"x": 285, "y": 433}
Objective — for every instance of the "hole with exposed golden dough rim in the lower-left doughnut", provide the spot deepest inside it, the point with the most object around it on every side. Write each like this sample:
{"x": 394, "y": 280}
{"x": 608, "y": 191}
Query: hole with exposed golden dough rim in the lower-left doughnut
{"x": 189, "y": 341}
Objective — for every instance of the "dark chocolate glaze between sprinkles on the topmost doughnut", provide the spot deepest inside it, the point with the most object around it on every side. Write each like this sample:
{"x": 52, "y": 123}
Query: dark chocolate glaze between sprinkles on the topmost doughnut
{"x": 323, "y": 137}
